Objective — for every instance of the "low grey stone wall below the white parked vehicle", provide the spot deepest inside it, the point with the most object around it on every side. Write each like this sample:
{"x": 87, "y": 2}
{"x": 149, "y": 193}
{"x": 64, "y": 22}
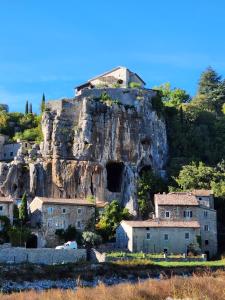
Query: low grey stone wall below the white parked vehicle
{"x": 47, "y": 256}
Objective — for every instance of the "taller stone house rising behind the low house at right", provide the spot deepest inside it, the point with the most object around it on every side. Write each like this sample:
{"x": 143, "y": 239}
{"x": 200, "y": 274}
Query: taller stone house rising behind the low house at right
{"x": 202, "y": 211}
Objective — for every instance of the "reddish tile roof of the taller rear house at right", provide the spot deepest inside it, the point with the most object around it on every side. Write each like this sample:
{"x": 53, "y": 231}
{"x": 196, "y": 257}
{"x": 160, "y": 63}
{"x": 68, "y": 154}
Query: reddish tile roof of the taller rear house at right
{"x": 176, "y": 199}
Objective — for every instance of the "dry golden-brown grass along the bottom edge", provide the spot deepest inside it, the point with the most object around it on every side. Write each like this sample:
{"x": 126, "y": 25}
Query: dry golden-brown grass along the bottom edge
{"x": 207, "y": 287}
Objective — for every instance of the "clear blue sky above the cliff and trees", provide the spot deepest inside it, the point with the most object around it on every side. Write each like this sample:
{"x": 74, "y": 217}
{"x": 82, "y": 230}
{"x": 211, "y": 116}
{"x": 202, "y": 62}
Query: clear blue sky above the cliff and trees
{"x": 51, "y": 46}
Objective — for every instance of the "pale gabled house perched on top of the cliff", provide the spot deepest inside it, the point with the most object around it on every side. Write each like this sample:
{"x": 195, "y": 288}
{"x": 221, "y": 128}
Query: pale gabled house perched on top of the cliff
{"x": 120, "y": 77}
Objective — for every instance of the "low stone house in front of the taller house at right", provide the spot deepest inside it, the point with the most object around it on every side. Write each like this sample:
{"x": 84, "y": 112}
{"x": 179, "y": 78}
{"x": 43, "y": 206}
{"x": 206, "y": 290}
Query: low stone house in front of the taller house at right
{"x": 157, "y": 236}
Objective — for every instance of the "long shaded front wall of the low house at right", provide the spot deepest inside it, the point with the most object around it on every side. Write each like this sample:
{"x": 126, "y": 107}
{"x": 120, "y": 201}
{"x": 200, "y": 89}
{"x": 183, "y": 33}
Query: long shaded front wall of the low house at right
{"x": 176, "y": 243}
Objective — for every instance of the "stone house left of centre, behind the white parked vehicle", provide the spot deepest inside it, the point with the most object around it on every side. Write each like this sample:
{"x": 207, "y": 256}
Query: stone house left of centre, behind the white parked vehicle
{"x": 50, "y": 214}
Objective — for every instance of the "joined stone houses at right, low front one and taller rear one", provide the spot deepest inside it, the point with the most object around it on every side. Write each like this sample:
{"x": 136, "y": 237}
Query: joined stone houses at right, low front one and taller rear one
{"x": 180, "y": 219}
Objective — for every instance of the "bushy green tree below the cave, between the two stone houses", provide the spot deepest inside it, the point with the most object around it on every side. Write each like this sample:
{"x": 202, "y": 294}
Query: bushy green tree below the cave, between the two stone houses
{"x": 112, "y": 215}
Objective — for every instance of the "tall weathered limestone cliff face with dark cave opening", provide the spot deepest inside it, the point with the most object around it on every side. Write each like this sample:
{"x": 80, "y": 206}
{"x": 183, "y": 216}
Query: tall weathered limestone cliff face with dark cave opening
{"x": 95, "y": 144}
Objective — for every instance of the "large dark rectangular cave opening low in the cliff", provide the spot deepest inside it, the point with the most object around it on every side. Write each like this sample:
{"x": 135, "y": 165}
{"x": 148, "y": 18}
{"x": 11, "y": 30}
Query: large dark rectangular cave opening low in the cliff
{"x": 114, "y": 176}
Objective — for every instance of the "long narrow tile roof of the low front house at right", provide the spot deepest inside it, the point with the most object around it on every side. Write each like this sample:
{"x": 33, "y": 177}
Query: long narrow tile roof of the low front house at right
{"x": 162, "y": 223}
